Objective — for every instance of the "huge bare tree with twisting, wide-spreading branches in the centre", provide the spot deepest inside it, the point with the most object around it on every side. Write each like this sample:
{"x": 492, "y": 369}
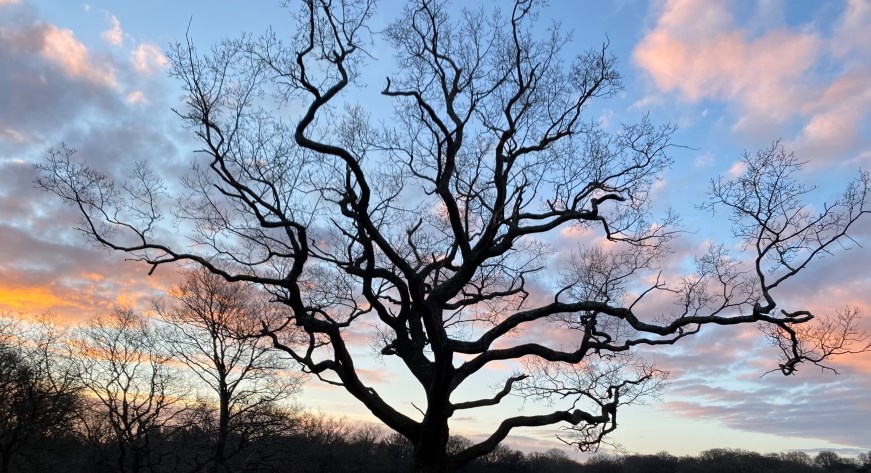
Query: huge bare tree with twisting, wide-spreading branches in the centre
{"x": 435, "y": 227}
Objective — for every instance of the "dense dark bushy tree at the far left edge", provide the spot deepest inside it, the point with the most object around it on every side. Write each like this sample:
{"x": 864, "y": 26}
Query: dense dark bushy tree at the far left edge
{"x": 38, "y": 397}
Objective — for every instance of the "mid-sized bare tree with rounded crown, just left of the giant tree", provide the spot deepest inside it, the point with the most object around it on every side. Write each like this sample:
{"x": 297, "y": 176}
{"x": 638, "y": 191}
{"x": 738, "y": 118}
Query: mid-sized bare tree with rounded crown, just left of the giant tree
{"x": 212, "y": 328}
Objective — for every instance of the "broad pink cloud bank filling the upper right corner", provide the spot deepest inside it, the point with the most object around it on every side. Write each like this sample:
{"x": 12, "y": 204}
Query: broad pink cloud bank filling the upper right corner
{"x": 772, "y": 75}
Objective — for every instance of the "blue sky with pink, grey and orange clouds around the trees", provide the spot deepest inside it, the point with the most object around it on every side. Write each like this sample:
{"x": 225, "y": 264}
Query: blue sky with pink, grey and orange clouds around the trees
{"x": 733, "y": 75}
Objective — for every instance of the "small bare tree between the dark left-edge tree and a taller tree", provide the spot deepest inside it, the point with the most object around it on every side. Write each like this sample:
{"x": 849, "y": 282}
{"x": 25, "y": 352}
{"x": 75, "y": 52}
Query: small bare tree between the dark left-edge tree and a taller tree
{"x": 123, "y": 365}
